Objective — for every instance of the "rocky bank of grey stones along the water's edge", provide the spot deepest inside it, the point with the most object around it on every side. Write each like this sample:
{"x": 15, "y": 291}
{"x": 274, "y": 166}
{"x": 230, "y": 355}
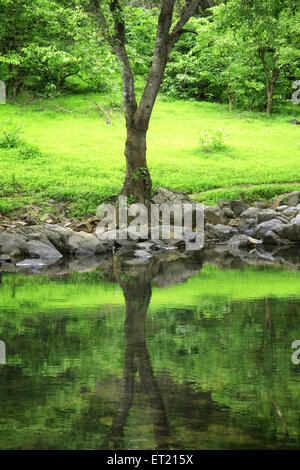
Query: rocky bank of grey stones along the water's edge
{"x": 233, "y": 224}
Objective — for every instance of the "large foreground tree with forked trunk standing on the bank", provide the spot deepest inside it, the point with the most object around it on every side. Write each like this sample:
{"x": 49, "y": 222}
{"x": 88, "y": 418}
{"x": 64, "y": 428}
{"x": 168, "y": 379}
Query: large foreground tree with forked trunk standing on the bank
{"x": 112, "y": 22}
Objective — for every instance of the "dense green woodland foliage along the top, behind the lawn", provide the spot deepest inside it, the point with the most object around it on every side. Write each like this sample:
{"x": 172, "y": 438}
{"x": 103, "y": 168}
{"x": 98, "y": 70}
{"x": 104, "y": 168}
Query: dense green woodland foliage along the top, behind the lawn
{"x": 246, "y": 53}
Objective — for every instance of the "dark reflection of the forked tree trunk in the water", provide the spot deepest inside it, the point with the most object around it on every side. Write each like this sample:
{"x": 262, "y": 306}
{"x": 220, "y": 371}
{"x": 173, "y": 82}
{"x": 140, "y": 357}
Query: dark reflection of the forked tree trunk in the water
{"x": 137, "y": 293}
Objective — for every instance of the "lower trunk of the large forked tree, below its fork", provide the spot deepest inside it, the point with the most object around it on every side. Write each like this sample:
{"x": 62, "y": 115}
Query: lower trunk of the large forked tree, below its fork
{"x": 137, "y": 179}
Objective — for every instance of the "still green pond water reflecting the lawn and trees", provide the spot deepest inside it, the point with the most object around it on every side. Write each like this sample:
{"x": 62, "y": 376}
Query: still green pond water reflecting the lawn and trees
{"x": 122, "y": 362}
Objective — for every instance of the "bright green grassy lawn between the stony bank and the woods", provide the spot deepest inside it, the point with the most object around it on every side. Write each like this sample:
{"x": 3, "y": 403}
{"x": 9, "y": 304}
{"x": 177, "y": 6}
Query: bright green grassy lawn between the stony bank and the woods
{"x": 81, "y": 157}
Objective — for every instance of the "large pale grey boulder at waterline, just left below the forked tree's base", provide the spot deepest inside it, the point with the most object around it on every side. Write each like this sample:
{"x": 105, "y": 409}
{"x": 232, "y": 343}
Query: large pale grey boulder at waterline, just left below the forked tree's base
{"x": 82, "y": 243}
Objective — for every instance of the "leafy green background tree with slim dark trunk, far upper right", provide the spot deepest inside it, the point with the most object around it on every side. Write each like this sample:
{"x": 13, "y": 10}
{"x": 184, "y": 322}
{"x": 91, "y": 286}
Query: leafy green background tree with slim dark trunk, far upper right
{"x": 269, "y": 30}
